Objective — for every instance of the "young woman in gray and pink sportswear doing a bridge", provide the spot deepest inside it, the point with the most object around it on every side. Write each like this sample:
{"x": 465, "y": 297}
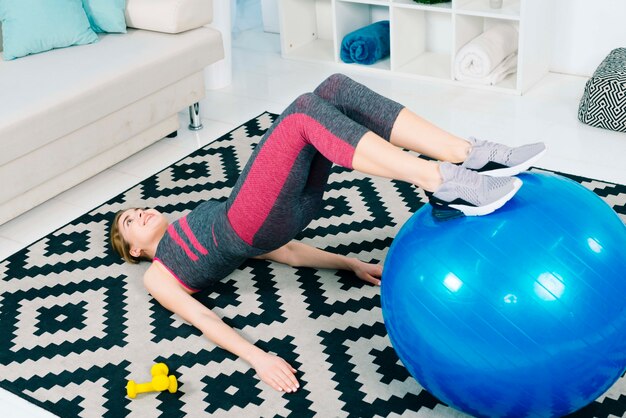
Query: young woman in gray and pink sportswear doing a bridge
{"x": 280, "y": 191}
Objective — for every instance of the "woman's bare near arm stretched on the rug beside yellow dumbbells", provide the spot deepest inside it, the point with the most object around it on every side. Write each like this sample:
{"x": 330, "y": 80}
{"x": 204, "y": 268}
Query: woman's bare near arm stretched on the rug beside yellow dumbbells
{"x": 271, "y": 369}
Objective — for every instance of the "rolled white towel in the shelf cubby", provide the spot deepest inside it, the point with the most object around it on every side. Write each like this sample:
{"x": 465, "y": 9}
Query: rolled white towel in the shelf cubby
{"x": 494, "y": 52}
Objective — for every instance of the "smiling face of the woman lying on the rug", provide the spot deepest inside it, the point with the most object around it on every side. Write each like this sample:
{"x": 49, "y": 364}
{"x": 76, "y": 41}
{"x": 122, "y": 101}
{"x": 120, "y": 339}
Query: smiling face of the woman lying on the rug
{"x": 142, "y": 228}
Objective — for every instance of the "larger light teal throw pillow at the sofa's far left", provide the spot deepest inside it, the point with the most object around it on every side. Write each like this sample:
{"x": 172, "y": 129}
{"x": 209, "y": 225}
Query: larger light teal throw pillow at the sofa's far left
{"x": 32, "y": 26}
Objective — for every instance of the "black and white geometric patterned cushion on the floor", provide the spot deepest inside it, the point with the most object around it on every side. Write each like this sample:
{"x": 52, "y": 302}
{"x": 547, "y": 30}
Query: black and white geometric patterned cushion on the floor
{"x": 603, "y": 104}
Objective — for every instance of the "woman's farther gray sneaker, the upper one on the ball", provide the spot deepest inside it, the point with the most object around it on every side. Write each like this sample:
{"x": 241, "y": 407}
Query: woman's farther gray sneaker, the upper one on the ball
{"x": 498, "y": 160}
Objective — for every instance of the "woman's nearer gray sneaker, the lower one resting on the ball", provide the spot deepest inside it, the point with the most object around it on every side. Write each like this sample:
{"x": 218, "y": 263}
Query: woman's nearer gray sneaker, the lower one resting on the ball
{"x": 465, "y": 192}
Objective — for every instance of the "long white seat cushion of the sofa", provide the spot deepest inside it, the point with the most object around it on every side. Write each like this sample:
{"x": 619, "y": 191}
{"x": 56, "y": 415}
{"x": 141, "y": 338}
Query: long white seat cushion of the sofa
{"x": 82, "y": 85}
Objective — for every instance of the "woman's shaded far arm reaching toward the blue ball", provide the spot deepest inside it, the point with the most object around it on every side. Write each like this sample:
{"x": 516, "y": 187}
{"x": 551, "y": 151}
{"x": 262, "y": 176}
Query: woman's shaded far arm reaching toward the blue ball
{"x": 298, "y": 254}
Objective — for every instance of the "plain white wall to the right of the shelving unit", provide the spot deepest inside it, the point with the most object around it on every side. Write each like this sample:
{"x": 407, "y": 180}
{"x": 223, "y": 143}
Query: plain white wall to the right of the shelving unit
{"x": 585, "y": 31}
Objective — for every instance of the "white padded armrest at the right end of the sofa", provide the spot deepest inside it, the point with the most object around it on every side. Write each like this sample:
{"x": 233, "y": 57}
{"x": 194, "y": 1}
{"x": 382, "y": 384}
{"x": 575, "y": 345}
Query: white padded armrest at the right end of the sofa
{"x": 171, "y": 16}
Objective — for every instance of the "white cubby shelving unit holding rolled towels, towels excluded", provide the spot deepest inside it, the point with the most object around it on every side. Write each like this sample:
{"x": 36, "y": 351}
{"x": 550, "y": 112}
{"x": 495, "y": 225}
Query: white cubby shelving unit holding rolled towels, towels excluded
{"x": 424, "y": 38}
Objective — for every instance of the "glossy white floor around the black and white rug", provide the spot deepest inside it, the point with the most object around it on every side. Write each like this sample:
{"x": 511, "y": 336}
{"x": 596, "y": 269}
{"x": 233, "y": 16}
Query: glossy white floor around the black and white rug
{"x": 262, "y": 80}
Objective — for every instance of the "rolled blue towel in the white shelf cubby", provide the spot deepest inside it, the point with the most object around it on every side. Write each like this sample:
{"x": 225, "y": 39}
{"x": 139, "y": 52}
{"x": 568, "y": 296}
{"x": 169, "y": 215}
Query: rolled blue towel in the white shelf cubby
{"x": 367, "y": 44}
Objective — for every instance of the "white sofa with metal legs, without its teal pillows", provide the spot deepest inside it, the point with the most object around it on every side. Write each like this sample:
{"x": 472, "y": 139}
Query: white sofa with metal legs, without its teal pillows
{"x": 70, "y": 113}
